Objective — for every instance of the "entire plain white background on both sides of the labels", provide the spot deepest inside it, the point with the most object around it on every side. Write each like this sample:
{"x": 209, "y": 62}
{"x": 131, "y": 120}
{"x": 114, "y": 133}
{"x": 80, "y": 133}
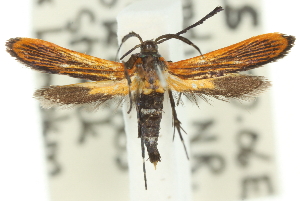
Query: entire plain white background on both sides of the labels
{"x": 22, "y": 172}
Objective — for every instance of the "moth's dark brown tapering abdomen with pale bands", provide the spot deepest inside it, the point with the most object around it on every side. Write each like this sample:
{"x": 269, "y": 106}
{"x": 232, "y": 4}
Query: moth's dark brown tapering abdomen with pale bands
{"x": 150, "y": 114}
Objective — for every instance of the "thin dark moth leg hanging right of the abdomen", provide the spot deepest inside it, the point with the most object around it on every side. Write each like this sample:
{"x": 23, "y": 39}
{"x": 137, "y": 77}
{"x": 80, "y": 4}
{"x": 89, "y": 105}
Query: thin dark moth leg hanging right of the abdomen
{"x": 176, "y": 122}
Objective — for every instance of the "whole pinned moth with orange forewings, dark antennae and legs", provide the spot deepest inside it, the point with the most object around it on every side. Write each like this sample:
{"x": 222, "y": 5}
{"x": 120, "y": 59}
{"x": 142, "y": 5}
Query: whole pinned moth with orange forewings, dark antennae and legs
{"x": 147, "y": 76}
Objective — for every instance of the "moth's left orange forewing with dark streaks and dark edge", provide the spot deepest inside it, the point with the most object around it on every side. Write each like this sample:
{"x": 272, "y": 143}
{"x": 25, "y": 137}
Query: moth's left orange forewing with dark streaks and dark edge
{"x": 50, "y": 58}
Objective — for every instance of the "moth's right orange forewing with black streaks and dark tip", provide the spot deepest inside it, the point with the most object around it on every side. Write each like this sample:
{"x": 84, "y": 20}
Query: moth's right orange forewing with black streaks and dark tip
{"x": 245, "y": 55}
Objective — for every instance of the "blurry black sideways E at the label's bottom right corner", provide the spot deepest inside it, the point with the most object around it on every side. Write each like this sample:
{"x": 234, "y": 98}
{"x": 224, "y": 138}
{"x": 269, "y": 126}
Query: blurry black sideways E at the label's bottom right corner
{"x": 252, "y": 186}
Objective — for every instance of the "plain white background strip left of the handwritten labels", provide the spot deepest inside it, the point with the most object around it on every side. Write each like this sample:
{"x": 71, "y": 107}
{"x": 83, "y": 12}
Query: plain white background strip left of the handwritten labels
{"x": 22, "y": 170}
